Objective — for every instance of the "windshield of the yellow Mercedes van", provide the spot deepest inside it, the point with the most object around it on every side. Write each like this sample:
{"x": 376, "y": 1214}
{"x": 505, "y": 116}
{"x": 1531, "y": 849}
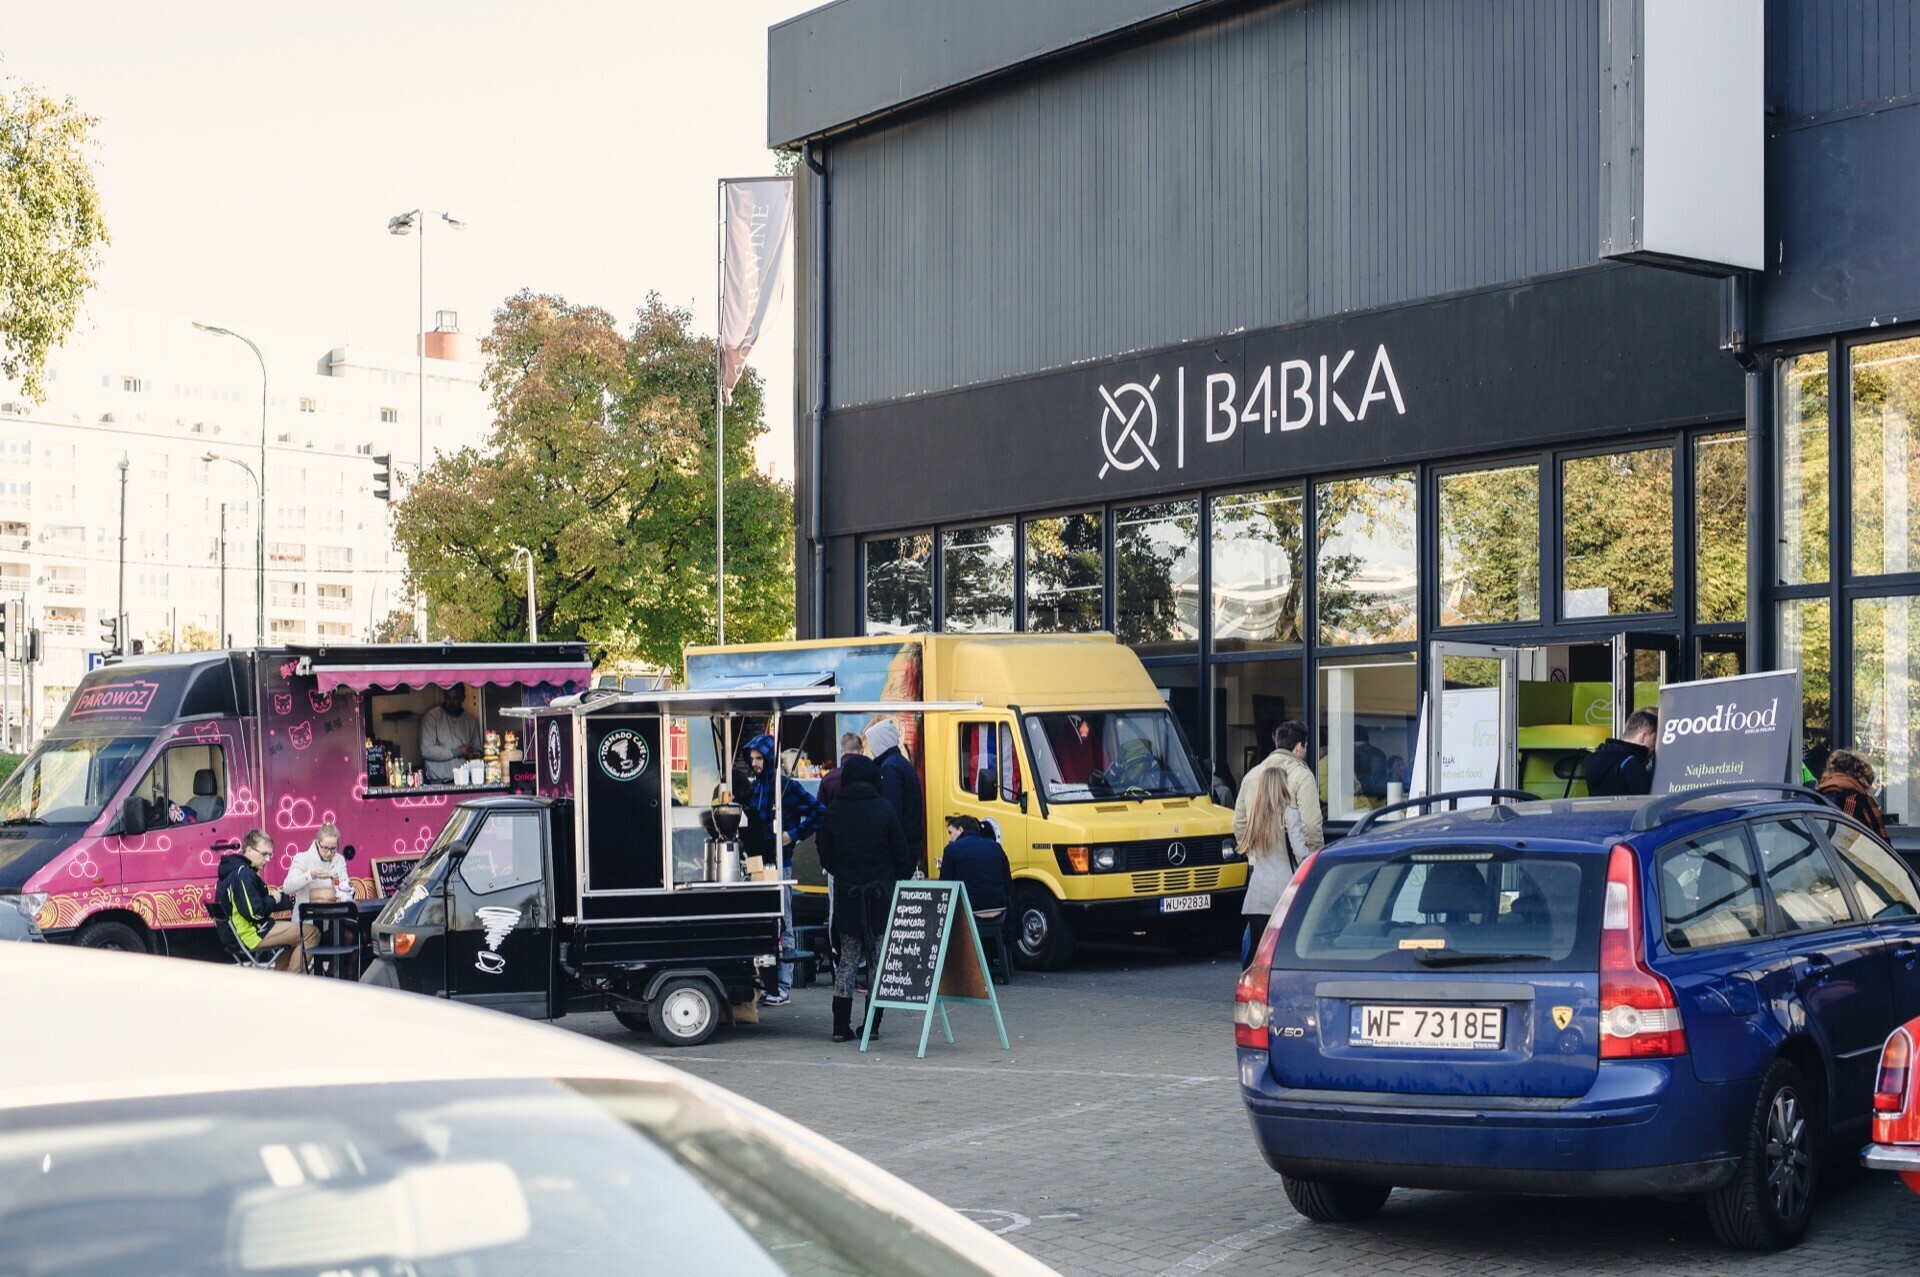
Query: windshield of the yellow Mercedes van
{"x": 1093, "y": 756}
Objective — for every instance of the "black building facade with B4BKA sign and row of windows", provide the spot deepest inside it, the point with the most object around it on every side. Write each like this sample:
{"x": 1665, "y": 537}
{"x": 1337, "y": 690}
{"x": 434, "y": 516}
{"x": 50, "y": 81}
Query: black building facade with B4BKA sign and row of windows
{"x": 1278, "y": 339}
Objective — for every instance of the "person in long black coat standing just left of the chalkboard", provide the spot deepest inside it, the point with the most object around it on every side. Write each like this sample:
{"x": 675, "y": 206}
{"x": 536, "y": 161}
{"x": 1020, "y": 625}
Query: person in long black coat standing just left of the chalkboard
{"x": 865, "y": 850}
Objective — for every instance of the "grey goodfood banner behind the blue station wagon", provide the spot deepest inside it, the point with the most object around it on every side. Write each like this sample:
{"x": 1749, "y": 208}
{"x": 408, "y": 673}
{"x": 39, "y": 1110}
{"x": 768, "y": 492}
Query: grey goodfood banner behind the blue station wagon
{"x": 1725, "y": 731}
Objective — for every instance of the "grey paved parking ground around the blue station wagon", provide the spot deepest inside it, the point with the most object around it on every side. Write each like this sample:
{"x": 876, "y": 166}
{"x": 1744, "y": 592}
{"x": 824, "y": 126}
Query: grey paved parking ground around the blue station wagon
{"x": 1113, "y": 1142}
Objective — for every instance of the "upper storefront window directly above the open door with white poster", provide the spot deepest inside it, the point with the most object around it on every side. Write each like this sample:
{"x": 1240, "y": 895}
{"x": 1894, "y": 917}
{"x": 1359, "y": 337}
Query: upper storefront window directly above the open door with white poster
{"x": 1491, "y": 546}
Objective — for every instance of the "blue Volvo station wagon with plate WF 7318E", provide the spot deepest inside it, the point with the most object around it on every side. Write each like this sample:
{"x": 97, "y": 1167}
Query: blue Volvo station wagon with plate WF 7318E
{"x": 1581, "y": 998}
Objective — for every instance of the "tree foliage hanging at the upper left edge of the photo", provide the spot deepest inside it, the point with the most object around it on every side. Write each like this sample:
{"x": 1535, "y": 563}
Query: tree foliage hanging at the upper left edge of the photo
{"x": 51, "y": 228}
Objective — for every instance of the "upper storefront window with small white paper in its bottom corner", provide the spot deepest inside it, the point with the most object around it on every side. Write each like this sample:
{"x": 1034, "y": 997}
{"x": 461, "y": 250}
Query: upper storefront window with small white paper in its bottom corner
{"x": 1618, "y": 533}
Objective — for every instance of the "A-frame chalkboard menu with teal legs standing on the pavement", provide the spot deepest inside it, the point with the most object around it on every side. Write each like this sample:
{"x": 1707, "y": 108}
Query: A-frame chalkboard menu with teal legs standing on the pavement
{"x": 928, "y": 957}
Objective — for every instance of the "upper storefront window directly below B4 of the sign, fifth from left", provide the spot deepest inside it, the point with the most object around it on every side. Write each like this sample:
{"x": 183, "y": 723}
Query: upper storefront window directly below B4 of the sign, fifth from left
{"x": 1260, "y": 546}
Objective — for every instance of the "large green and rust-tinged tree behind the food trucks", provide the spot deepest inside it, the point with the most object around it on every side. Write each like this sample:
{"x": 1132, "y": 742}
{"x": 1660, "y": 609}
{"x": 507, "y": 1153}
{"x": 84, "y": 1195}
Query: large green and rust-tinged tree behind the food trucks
{"x": 602, "y": 464}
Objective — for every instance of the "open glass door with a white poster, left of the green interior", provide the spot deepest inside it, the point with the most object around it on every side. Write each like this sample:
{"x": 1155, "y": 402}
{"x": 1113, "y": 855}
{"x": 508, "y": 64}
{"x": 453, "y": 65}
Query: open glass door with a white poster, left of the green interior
{"x": 1472, "y": 735}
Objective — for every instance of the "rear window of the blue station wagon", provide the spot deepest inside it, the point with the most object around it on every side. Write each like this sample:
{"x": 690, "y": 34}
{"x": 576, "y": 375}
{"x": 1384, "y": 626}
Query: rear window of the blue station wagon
{"x": 1449, "y": 907}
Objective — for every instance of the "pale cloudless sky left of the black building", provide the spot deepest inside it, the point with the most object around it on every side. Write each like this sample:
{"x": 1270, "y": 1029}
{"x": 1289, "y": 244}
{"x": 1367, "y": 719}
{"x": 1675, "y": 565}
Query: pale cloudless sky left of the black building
{"x": 252, "y": 153}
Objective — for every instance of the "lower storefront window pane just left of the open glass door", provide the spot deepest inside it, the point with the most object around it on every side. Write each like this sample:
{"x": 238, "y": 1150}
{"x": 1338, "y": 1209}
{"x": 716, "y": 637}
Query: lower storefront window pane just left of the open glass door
{"x": 1366, "y": 733}
